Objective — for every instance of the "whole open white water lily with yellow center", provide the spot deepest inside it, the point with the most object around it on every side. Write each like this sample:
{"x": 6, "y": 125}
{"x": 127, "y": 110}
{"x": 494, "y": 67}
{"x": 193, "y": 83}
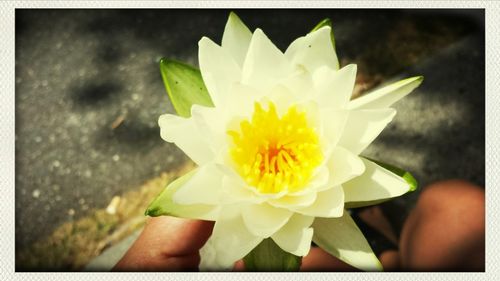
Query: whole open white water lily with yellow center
{"x": 278, "y": 154}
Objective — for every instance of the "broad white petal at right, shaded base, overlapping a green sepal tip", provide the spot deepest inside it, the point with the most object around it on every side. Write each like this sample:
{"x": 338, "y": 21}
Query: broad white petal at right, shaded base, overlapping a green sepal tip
{"x": 374, "y": 184}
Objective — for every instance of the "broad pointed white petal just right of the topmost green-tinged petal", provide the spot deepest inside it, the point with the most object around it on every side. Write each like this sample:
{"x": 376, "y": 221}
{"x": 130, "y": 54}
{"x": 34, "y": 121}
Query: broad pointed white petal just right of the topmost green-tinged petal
{"x": 265, "y": 64}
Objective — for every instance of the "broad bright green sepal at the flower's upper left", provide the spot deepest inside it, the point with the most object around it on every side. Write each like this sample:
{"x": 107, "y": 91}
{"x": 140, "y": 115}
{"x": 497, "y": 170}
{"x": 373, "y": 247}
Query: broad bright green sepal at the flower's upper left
{"x": 184, "y": 86}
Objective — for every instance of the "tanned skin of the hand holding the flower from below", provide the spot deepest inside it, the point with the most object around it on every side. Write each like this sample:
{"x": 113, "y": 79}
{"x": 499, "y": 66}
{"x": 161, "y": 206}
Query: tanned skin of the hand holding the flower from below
{"x": 173, "y": 244}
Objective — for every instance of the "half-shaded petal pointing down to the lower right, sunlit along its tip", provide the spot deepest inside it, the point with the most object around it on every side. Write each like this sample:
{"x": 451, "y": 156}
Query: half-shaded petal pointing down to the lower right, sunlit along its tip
{"x": 341, "y": 238}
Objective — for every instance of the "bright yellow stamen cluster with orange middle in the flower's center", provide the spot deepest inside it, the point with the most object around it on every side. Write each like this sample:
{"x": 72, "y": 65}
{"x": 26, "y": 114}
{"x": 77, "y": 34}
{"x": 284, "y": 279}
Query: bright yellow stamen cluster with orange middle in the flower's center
{"x": 276, "y": 154}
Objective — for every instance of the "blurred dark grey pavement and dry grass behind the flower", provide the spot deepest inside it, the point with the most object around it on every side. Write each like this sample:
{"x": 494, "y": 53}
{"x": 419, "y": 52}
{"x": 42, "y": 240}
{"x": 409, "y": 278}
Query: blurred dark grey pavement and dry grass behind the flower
{"x": 89, "y": 157}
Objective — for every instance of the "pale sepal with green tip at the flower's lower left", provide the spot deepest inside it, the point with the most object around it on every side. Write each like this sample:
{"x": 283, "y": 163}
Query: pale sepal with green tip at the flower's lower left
{"x": 163, "y": 205}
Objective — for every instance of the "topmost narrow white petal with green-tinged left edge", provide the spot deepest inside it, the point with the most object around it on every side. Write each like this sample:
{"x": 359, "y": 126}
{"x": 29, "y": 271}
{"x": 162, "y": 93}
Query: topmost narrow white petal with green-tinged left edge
{"x": 236, "y": 38}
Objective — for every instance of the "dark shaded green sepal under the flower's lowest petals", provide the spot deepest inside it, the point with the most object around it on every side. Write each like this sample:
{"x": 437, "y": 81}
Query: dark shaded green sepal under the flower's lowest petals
{"x": 268, "y": 256}
